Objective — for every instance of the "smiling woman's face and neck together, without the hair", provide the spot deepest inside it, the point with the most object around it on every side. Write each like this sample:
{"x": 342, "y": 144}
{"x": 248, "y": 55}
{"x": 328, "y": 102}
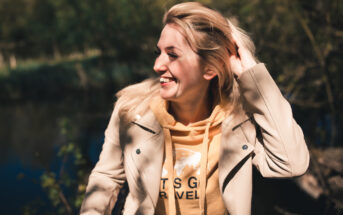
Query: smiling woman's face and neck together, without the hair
{"x": 183, "y": 79}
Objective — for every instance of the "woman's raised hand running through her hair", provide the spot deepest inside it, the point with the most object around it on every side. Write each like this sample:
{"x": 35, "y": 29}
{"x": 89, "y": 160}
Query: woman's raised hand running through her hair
{"x": 244, "y": 59}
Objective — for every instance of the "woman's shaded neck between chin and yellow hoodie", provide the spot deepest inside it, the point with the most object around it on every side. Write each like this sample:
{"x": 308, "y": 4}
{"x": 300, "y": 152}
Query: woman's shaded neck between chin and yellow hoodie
{"x": 191, "y": 111}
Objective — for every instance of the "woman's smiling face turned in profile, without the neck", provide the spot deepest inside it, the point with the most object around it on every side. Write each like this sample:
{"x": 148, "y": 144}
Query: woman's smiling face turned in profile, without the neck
{"x": 181, "y": 75}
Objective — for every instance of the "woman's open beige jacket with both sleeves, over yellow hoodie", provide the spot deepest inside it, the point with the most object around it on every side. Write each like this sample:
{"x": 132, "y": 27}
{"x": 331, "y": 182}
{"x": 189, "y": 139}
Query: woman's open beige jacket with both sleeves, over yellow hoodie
{"x": 267, "y": 137}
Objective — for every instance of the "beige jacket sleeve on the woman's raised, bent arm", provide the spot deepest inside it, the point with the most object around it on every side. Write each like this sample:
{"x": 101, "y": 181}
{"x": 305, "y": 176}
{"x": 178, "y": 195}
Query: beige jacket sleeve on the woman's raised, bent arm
{"x": 282, "y": 151}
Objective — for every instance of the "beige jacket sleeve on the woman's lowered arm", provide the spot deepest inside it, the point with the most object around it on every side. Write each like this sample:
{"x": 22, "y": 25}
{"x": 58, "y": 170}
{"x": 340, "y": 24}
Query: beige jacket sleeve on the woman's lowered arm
{"x": 108, "y": 175}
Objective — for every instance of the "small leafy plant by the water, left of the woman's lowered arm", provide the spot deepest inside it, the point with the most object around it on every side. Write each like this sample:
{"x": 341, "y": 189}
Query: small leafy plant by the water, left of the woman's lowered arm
{"x": 57, "y": 185}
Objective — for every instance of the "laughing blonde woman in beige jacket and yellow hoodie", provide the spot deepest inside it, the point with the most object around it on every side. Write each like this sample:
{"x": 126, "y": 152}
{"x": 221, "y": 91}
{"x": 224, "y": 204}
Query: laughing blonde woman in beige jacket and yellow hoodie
{"x": 213, "y": 115}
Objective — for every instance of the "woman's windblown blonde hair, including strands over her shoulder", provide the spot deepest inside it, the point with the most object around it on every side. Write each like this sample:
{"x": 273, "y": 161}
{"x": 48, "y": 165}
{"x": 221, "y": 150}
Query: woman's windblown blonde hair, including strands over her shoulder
{"x": 209, "y": 34}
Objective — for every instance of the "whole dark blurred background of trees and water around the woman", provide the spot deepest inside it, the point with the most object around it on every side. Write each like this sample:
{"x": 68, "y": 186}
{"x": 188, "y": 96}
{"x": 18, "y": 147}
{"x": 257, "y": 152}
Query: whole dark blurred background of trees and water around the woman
{"x": 62, "y": 61}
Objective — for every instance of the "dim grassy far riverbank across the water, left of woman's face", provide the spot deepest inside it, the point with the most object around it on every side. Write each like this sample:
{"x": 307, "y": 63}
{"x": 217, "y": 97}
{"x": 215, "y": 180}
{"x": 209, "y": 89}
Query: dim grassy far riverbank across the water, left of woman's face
{"x": 51, "y": 81}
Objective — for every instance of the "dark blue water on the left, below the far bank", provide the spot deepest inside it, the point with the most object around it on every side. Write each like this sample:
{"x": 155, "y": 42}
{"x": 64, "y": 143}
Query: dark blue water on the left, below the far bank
{"x": 30, "y": 137}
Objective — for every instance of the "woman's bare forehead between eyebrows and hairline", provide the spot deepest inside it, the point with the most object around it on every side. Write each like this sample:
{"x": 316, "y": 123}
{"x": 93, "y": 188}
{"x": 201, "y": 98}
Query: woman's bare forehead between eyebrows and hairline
{"x": 171, "y": 36}
